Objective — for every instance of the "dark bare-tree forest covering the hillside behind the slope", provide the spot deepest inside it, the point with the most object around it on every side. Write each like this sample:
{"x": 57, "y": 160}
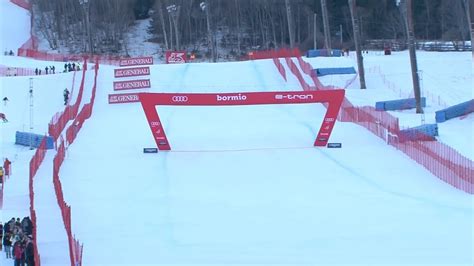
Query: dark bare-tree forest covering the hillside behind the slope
{"x": 240, "y": 25}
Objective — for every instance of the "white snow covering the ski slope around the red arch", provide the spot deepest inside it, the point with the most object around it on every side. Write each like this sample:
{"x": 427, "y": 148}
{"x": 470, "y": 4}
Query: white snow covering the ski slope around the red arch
{"x": 246, "y": 187}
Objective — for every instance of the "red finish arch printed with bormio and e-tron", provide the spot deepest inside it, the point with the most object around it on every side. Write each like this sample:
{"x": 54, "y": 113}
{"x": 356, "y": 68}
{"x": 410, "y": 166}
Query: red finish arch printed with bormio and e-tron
{"x": 149, "y": 102}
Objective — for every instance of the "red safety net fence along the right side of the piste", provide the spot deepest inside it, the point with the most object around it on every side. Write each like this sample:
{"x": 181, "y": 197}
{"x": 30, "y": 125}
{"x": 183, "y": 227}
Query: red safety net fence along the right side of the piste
{"x": 438, "y": 158}
